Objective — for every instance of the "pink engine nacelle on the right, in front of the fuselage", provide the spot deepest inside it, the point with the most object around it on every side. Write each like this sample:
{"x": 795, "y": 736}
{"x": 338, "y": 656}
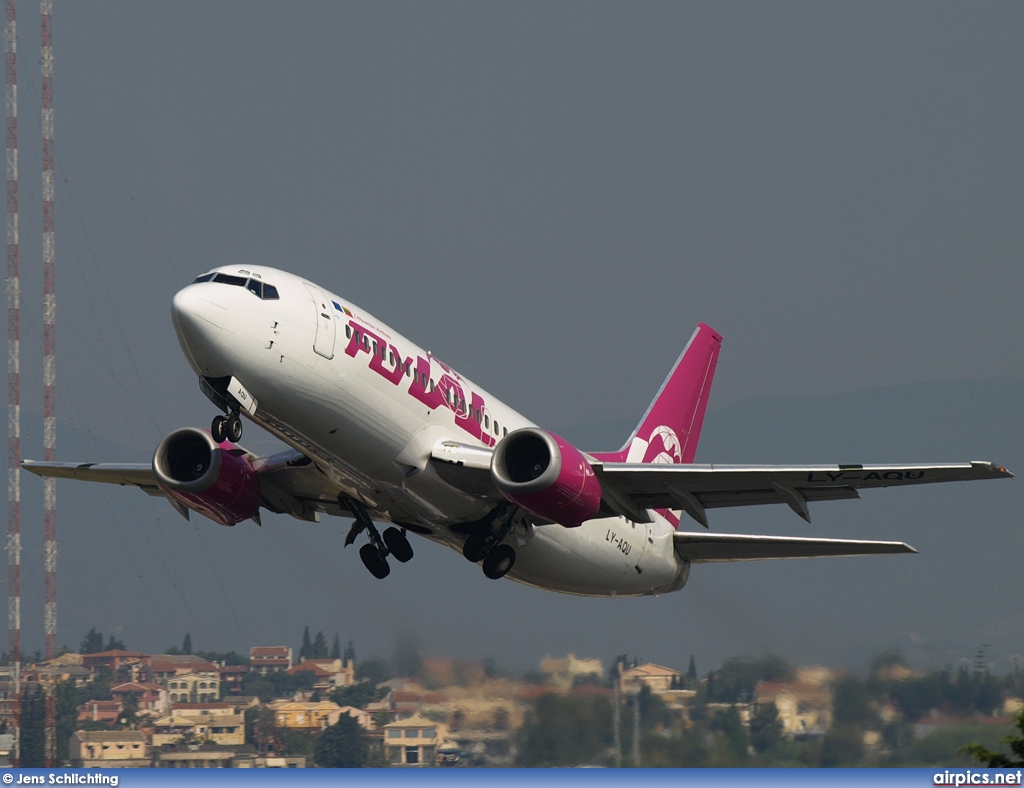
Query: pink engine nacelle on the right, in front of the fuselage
{"x": 547, "y": 476}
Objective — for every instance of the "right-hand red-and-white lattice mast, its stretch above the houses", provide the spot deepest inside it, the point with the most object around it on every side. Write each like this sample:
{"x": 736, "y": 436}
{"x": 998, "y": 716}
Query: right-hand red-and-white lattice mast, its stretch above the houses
{"x": 50, "y": 334}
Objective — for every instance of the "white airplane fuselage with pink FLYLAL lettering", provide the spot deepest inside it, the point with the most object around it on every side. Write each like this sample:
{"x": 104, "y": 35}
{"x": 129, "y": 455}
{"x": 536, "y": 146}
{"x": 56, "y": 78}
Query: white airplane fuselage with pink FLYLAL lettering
{"x": 368, "y": 407}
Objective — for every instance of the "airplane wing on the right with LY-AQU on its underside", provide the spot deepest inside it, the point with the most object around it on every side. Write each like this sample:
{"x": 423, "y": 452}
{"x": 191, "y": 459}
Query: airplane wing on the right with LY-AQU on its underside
{"x": 695, "y": 489}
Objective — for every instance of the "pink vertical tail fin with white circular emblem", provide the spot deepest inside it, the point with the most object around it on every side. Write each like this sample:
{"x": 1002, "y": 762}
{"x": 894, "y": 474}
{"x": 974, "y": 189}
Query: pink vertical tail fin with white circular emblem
{"x": 670, "y": 430}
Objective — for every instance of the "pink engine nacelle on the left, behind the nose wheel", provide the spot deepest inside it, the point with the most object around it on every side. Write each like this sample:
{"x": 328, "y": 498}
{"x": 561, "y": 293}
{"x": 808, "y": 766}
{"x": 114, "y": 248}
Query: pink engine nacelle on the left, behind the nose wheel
{"x": 216, "y": 480}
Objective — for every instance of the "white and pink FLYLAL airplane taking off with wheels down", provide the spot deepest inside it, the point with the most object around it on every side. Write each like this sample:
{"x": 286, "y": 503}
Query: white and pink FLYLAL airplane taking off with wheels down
{"x": 381, "y": 431}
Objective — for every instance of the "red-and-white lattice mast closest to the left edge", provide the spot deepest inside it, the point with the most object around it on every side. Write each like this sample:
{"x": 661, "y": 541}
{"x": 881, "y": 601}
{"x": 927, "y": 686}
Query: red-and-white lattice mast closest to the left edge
{"x": 14, "y": 372}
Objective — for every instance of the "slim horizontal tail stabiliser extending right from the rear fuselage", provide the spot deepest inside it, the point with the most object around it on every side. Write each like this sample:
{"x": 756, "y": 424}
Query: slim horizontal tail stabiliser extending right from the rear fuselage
{"x": 715, "y": 548}
